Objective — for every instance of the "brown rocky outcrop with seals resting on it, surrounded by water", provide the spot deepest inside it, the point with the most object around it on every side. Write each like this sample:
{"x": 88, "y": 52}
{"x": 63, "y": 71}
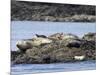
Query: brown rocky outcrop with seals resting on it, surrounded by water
{"x": 56, "y": 48}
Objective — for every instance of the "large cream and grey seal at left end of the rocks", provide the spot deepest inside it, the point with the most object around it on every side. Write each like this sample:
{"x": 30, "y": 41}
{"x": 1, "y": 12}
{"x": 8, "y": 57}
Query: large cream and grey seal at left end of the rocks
{"x": 23, "y": 45}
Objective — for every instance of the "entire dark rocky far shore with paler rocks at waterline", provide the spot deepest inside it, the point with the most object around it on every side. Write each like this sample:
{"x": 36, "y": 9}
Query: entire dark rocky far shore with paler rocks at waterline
{"x": 36, "y": 11}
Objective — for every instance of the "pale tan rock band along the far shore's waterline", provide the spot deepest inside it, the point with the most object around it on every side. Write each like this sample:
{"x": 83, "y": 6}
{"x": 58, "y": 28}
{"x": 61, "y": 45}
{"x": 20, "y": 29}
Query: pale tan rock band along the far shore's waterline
{"x": 75, "y": 18}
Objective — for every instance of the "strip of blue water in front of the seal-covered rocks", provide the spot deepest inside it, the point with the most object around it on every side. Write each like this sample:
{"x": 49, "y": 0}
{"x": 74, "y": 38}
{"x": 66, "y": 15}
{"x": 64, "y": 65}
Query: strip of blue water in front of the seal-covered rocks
{"x": 22, "y": 69}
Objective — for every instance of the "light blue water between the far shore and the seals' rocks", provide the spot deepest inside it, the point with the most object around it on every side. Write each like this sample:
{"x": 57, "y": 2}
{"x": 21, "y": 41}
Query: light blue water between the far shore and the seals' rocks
{"x": 26, "y": 29}
